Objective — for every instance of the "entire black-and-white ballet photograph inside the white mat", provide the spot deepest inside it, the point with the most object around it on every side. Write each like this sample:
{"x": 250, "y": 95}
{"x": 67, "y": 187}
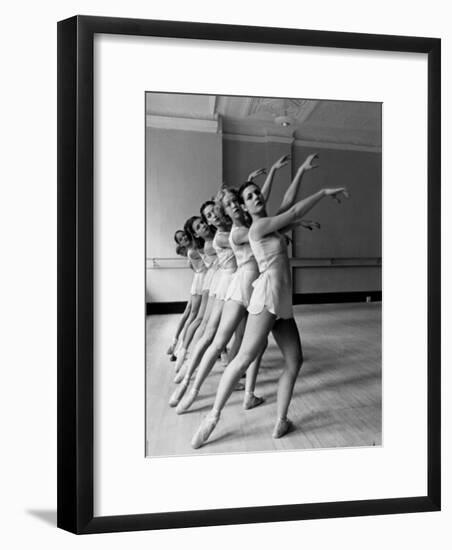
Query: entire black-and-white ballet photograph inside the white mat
{"x": 263, "y": 274}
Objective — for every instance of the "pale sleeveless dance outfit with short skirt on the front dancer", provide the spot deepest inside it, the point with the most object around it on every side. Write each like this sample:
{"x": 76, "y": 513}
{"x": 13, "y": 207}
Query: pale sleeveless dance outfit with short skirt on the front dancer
{"x": 273, "y": 288}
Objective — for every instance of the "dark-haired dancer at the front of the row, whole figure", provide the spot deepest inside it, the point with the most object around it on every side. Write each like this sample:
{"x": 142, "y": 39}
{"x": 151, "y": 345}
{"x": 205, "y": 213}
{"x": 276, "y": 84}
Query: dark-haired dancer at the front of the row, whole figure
{"x": 270, "y": 307}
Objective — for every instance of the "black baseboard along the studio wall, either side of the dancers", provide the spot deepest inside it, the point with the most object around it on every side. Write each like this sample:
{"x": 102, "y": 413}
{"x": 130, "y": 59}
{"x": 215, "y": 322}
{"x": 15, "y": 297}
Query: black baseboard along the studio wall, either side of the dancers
{"x": 159, "y": 308}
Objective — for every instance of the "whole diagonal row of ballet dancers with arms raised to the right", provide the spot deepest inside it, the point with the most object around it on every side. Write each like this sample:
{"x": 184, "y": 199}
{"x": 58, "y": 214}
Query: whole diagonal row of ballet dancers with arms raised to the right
{"x": 241, "y": 291}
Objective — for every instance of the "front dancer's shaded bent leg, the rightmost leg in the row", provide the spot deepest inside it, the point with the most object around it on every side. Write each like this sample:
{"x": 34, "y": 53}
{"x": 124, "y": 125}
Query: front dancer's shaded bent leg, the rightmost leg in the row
{"x": 287, "y": 337}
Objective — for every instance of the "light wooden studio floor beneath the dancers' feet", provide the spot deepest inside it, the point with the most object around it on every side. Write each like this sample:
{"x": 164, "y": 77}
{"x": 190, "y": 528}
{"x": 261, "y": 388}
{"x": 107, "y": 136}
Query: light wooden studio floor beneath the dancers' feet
{"x": 336, "y": 402}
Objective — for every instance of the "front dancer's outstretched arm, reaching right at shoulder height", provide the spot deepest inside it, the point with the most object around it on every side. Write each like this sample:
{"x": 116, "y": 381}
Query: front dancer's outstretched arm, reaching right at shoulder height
{"x": 294, "y": 215}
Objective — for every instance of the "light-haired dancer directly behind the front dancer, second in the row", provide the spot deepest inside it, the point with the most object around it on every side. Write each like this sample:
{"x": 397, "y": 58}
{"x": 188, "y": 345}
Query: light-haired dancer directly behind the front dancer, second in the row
{"x": 239, "y": 292}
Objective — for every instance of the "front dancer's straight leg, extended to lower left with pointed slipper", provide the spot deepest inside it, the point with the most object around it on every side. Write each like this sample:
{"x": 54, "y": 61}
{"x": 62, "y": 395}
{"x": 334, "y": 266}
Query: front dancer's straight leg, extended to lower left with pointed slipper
{"x": 257, "y": 328}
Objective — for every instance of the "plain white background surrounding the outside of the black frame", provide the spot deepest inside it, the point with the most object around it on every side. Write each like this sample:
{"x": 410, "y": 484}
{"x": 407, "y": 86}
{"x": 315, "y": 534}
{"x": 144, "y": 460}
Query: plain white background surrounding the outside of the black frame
{"x": 28, "y": 229}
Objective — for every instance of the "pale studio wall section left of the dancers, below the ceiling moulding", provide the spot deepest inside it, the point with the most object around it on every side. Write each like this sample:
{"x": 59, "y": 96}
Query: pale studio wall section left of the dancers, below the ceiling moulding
{"x": 183, "y": 169}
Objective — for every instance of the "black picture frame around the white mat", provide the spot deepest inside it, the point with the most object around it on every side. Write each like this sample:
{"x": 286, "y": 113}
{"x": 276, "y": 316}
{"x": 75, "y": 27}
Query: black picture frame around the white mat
{"x": 75, "y": 274}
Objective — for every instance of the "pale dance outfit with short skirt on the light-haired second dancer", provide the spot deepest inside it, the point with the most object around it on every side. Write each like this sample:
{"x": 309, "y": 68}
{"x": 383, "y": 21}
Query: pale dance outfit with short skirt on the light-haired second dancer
{"x": 240, "y": 288}
